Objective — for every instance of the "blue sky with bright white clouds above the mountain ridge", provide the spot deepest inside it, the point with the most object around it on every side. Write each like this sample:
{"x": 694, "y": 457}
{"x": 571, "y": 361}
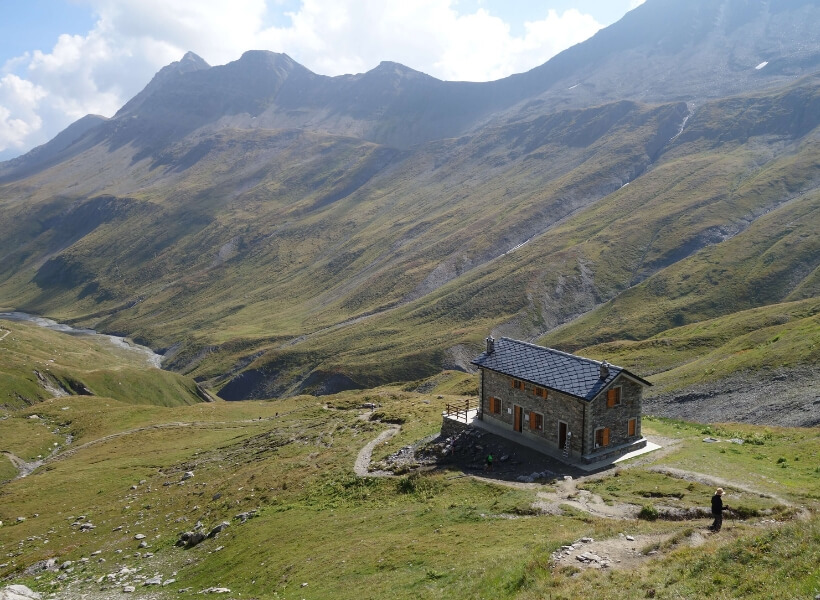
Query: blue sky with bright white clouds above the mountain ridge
{"x": 63, "y": 59}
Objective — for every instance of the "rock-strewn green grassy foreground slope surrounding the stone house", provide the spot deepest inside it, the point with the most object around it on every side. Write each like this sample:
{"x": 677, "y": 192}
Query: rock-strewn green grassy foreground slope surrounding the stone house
{"x": 429, "y": 535}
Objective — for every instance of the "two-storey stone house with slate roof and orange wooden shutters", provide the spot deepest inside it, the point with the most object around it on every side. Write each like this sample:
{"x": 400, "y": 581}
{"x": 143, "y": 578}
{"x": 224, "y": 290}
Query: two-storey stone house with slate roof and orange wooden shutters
{"x": 575, "y": 408}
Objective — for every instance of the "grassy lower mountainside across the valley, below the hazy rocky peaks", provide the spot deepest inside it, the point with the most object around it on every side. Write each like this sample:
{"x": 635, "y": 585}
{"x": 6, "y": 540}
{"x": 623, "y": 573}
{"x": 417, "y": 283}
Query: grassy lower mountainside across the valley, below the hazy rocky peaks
{"x": 281, "y": 262}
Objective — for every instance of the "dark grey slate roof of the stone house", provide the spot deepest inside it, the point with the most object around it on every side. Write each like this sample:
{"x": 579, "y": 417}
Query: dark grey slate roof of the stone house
{"x": 551, "y": 369}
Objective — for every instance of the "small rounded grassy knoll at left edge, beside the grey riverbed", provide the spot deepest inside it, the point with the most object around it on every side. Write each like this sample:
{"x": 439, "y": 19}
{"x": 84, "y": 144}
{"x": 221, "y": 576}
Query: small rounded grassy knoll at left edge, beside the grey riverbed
{"x": 39, "y": 363}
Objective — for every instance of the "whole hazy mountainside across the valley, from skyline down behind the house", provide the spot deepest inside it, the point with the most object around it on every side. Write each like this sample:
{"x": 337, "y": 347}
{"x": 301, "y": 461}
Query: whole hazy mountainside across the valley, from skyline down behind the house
{"x": 250, "y": 220}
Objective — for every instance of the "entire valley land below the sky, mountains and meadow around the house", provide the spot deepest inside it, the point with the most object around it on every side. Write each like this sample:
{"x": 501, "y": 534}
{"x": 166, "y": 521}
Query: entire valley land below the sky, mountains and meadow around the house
{"x": 650, "y": 196}
